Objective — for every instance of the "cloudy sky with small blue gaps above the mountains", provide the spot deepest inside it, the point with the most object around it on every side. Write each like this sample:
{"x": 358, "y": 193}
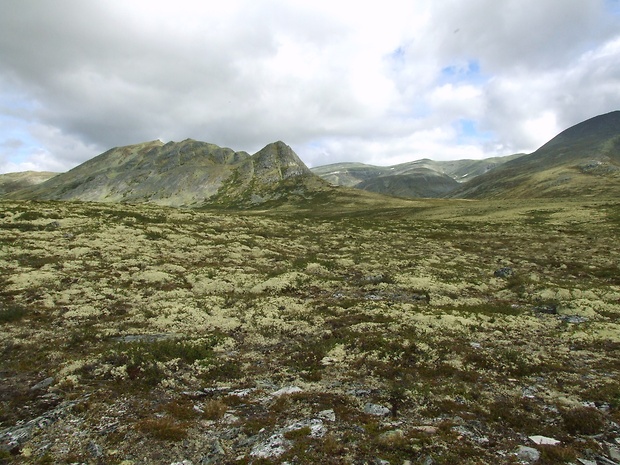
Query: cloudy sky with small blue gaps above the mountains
{"x": 378, "y": 82}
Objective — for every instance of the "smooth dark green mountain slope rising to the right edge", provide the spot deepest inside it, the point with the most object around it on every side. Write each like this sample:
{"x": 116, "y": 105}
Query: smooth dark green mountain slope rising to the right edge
{"x": 583, "y": 160}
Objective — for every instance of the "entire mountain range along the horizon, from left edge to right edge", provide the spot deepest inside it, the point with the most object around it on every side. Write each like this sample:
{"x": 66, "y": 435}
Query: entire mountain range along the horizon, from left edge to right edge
{"x": 583, "y": 160}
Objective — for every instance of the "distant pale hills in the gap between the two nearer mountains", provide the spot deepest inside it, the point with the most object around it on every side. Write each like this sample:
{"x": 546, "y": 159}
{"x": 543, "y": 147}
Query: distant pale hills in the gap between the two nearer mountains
{"x": 420, "y": 178}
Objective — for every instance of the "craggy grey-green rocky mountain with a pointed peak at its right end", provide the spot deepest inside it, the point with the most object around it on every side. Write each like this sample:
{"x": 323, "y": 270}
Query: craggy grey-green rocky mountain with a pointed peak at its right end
{"x": 187, "y": 173}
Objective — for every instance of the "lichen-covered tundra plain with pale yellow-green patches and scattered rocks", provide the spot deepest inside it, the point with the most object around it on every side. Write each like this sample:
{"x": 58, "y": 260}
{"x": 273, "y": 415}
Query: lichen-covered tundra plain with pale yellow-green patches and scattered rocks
{"x": 171, "y": 331}
